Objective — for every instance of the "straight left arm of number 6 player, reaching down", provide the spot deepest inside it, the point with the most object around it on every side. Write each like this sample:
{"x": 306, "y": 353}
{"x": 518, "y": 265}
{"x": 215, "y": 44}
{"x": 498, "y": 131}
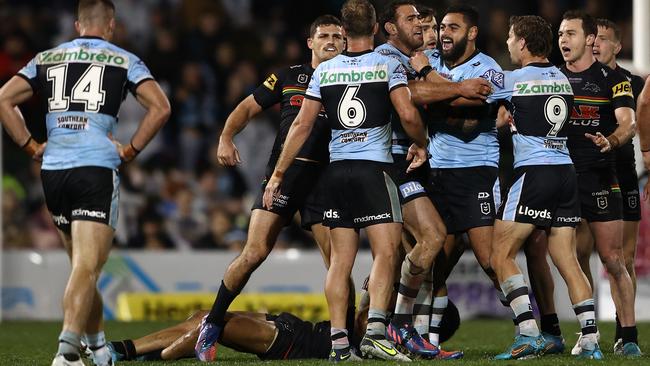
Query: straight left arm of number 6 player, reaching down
{"x": 296, "y": 137}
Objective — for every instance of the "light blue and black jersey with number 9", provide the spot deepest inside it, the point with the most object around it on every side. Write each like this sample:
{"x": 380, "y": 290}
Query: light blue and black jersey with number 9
{"x": 541, "y": 99}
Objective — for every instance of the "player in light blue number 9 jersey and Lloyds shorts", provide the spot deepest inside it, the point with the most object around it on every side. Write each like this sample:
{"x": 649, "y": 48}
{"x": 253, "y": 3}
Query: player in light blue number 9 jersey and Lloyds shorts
{"x": 544, "y": 193}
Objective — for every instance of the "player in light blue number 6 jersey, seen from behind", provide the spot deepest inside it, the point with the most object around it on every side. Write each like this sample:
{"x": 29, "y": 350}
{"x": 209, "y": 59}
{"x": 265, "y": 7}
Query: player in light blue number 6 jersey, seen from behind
{"x": 357, "y": 90}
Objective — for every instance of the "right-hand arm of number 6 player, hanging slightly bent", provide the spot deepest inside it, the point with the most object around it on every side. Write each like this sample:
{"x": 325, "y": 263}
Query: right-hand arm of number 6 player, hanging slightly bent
{"x": 413, "y": 126}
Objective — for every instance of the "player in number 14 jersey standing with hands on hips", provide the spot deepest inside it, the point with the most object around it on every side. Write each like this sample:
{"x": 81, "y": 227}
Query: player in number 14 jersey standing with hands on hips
{"x": 82, "y": 83}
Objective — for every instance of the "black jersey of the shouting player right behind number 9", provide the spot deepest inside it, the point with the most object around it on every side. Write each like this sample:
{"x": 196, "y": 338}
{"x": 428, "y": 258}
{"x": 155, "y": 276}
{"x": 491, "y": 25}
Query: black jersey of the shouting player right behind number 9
{"x": 598, "y": 91}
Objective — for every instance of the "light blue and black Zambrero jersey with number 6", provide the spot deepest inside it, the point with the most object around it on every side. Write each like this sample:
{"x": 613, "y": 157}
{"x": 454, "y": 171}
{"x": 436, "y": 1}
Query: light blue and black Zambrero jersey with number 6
{"x": 355, "y": 90}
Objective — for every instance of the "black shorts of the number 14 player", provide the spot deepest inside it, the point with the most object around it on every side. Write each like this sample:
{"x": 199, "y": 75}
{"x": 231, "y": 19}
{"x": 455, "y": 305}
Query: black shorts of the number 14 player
{"x": 87, "y": 193}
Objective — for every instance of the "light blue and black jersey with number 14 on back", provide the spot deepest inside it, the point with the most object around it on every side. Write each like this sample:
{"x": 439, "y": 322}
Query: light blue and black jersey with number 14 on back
{"x": 82, "y": 84}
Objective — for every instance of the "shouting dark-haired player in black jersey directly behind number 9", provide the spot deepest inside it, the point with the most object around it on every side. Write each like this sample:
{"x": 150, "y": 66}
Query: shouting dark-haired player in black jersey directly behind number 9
{"x": 602, "y": 120}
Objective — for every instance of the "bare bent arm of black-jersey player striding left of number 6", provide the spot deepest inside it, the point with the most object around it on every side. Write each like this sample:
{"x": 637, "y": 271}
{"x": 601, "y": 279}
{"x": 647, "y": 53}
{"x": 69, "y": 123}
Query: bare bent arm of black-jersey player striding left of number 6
{"x": 227, "y": 153}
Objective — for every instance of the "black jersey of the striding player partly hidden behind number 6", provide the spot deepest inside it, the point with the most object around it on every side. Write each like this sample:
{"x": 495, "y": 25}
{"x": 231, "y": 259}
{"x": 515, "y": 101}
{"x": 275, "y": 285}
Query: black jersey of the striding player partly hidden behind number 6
{"x": 287, "y": 87}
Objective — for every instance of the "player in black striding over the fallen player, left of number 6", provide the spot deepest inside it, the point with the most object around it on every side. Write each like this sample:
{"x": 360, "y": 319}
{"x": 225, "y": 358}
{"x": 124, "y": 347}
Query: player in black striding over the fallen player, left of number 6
{"x": 298, "y": 189}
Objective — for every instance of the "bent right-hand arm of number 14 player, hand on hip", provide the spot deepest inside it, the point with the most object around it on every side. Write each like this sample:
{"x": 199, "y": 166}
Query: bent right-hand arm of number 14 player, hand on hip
{"x": 153, "y": 99}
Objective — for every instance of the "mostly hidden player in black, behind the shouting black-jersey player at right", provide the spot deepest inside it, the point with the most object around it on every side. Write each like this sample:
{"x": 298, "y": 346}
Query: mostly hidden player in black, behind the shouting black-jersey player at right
{"x": 606, "y": 47}
